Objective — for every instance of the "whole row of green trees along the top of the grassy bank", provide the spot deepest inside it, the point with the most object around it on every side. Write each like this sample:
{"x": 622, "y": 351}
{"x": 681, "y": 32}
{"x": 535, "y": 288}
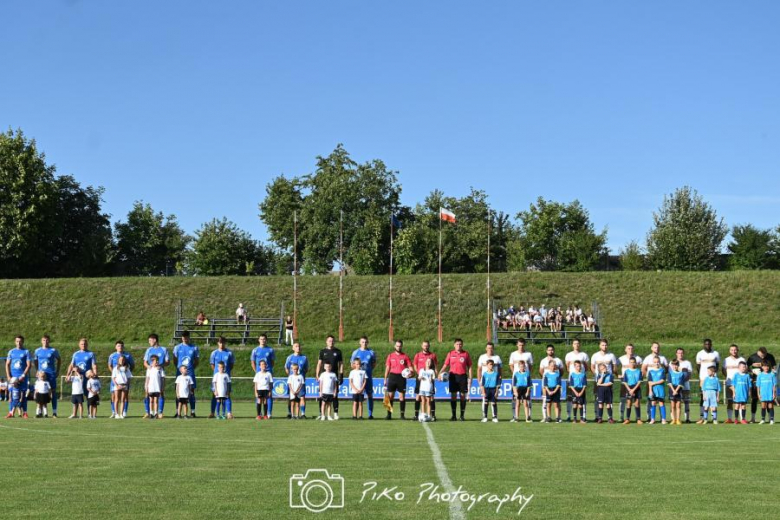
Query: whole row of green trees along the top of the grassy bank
{"x": 51, "y": 226}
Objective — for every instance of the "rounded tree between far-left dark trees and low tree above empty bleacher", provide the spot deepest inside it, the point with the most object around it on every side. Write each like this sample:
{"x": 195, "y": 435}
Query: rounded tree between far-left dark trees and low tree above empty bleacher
{"x": 149, "y": 243}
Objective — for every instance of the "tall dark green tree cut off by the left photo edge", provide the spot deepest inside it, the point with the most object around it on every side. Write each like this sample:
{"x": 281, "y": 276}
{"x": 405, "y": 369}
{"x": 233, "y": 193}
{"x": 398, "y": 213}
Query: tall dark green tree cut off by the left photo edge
{"x": 27, "y": 205}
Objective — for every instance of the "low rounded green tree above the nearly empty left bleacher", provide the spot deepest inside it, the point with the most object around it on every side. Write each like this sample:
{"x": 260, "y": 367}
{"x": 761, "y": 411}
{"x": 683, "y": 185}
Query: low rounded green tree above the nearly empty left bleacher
{"x": 221, "y": 248}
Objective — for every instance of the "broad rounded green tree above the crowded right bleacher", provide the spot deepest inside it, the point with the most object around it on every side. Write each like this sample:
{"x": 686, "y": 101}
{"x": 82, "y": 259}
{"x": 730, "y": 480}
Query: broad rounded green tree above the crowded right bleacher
{"x": 559, "y": 237}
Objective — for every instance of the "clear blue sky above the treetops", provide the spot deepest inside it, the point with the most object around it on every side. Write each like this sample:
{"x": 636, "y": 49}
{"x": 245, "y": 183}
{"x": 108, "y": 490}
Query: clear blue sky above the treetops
{"x": 195, "y": 106}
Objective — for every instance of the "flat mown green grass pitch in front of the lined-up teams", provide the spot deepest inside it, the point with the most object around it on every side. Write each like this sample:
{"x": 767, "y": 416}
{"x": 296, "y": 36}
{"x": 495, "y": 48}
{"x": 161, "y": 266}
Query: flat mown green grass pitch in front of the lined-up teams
{"x": 241, "y": 469}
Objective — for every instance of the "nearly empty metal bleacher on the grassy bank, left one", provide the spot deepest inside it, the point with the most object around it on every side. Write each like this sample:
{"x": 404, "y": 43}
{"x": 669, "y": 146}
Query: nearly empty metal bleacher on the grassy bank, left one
{"x": 233, "y": 331}
